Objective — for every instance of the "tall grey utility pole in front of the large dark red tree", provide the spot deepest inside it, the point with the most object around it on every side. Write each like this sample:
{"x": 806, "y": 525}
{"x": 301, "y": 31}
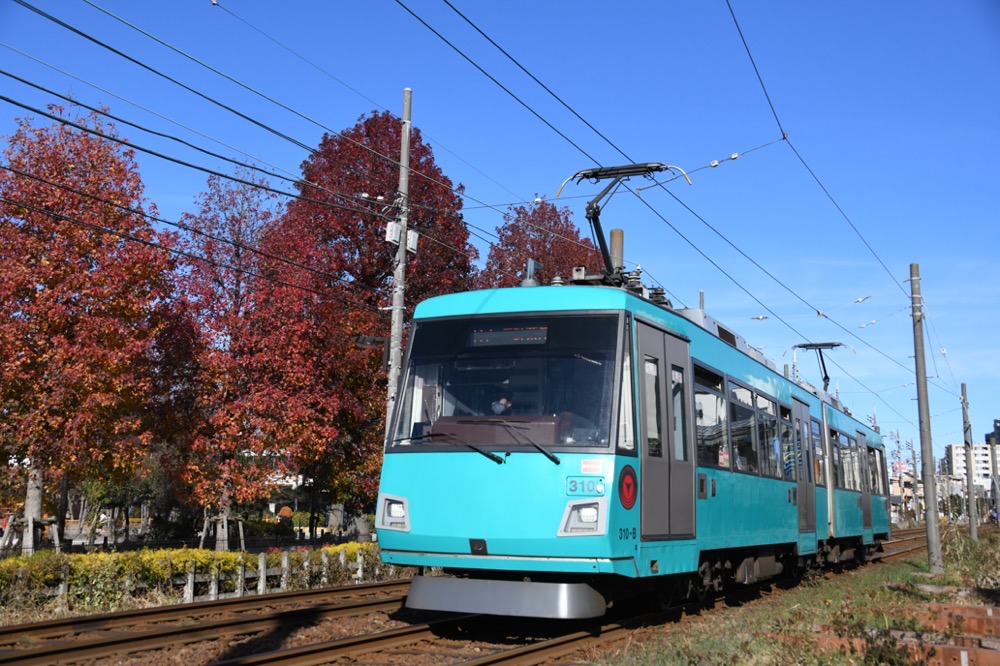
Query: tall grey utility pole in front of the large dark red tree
{"x": 399, "y": 274}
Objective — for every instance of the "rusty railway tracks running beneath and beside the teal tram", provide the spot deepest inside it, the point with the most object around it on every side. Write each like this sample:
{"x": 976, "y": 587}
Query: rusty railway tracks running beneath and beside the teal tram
{"x": 256, "y": 630}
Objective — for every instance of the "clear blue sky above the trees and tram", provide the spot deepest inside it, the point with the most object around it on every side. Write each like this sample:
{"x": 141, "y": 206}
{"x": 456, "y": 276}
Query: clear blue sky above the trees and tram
{"x": 891, "y": 113}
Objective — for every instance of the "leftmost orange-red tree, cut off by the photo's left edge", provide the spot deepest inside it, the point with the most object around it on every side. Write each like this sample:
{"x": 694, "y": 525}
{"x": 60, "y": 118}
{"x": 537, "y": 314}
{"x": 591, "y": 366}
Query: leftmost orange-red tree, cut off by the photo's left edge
{"x": 82, "y": 285}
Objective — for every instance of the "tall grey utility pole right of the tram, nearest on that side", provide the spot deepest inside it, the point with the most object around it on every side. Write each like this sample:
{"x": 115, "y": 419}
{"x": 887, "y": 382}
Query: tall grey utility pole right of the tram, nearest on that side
{"x": 934, "y": 559}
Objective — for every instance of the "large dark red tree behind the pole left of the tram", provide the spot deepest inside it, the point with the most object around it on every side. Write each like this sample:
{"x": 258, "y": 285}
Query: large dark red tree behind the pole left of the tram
{"x": 311, "y": 333}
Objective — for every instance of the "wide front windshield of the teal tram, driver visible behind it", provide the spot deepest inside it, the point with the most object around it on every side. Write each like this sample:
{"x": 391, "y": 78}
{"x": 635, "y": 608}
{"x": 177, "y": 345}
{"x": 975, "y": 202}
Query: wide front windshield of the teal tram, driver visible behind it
{"x": 531, "y": 381}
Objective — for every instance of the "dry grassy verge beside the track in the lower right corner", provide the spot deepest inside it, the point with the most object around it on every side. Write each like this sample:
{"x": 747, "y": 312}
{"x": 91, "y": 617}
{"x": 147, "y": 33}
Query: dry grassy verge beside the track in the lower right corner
{"x": 871, "y": 604}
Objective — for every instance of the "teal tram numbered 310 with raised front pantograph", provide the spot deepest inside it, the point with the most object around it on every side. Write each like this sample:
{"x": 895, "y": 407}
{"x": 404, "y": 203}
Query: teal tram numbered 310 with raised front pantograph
{"x": 557, "y": 448}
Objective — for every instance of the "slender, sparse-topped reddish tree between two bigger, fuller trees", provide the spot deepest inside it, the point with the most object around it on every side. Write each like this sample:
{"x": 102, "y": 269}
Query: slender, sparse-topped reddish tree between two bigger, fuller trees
{"x": 229, "y": 456}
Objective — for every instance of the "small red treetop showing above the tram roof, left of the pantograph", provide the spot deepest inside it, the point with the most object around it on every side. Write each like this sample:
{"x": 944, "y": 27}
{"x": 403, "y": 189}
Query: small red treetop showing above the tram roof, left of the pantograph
{"x": 542, "y": 232}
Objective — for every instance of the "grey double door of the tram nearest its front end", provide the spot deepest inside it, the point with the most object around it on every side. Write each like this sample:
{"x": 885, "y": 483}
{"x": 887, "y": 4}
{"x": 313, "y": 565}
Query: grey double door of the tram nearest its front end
{"x": 665, "y": 395}
